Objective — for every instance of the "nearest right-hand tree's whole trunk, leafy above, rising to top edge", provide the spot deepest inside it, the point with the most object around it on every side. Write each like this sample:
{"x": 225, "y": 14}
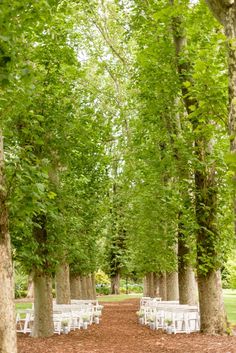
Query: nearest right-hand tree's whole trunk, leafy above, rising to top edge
{"x": 206, "y": 188}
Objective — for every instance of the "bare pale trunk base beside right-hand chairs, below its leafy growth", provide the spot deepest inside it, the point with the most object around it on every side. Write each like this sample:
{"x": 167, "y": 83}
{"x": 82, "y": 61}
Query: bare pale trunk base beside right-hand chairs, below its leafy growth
{"x": 213, "y": 317}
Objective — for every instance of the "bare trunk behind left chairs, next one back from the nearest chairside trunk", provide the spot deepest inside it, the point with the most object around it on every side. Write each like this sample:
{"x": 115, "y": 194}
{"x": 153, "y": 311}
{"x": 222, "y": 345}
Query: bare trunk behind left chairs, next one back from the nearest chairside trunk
{"x": 63, "y": 284}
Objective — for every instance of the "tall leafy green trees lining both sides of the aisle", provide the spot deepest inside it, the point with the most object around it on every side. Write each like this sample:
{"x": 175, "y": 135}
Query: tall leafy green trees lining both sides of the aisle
{"x": 117, "y": 151}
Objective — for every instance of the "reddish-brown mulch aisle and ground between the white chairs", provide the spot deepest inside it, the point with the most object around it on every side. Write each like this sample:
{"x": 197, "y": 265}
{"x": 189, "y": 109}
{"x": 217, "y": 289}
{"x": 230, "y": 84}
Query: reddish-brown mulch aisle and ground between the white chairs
{"x": 119, "y": 332}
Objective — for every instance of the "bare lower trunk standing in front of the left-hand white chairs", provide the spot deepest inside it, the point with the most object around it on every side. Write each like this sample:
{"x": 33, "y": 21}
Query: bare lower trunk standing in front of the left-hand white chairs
{"x": 43, "y": 307}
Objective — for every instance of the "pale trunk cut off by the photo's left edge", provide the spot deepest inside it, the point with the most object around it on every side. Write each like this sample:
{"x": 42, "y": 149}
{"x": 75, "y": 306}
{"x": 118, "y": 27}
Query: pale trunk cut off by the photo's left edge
{"x": 7, "y": 307}
